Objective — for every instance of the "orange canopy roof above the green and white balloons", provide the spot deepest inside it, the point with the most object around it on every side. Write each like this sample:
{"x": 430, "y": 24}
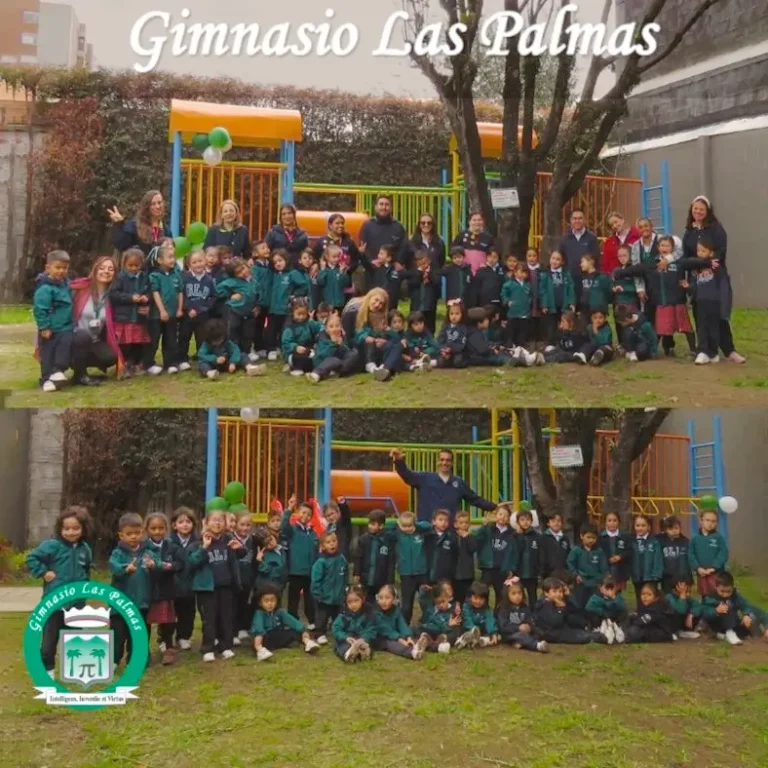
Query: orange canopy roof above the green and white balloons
{"x": 248, "y": 126}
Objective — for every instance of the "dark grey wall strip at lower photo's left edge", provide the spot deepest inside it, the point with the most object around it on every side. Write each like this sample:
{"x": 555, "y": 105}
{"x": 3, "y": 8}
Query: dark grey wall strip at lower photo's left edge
{"x": 14, "y": 471}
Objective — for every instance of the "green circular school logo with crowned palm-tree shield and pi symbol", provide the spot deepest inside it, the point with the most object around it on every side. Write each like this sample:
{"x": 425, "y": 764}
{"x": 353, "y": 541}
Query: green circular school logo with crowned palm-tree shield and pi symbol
{"x": 86, "y": 646}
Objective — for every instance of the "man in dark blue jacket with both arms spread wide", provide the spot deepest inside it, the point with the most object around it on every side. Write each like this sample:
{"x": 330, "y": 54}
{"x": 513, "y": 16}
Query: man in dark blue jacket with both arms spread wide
{"x": 441, "y": 489}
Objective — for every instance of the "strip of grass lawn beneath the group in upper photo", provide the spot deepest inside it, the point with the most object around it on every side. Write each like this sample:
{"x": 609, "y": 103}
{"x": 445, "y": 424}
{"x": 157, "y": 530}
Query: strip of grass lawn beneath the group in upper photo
{"x": 661, "y": 383}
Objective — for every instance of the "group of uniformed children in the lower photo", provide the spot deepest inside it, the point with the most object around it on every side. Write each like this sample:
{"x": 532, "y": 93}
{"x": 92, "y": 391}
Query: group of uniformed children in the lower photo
{"x": 235, "y": 577}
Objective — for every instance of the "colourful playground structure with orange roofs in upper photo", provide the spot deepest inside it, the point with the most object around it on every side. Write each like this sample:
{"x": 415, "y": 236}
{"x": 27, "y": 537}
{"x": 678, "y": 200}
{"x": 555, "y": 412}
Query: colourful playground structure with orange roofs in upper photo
{"x": 259, "y": 187}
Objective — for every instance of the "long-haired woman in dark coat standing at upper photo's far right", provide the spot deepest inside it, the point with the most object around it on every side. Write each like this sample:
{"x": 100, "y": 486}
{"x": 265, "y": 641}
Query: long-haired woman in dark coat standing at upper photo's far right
{"x": 702, "y": 224}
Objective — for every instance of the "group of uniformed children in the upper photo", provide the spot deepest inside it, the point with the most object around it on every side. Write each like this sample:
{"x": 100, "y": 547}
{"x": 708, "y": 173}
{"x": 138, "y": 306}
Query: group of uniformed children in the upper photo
{"x": 241, "y": 311}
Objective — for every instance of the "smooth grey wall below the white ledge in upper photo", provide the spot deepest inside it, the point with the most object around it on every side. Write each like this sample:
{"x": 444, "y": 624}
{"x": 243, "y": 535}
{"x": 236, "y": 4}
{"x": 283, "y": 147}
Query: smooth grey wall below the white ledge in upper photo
{"x": 731, "y": 170}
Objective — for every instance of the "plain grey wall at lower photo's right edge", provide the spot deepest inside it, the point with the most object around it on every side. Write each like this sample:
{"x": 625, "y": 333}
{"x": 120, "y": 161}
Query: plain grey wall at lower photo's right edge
{"x": 745, "y": 435}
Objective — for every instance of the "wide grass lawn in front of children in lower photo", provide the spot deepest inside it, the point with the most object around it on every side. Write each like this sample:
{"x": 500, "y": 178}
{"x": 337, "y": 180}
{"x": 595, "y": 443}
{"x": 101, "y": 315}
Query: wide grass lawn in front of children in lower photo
{"x": 700, "y": 704}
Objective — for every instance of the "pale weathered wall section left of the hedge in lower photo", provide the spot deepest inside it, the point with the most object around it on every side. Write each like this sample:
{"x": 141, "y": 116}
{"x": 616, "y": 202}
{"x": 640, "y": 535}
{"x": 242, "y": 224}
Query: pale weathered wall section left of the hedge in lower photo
{"x": 46, "y": 473}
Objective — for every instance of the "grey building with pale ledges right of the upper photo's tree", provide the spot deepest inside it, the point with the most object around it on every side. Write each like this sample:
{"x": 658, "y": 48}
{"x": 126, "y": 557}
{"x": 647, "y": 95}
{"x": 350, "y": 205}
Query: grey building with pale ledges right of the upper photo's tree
{"x": 704, "y": 110}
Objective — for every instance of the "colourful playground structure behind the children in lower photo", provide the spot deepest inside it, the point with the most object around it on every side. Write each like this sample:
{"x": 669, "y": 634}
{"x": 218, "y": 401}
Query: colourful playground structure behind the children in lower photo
{"x": 274, "y": 458}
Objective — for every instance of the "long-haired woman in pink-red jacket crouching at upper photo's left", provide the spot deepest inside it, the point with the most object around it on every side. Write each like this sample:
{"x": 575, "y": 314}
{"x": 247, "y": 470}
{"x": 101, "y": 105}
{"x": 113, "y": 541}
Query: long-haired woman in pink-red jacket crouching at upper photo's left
{"x": 94, "y": 343}
